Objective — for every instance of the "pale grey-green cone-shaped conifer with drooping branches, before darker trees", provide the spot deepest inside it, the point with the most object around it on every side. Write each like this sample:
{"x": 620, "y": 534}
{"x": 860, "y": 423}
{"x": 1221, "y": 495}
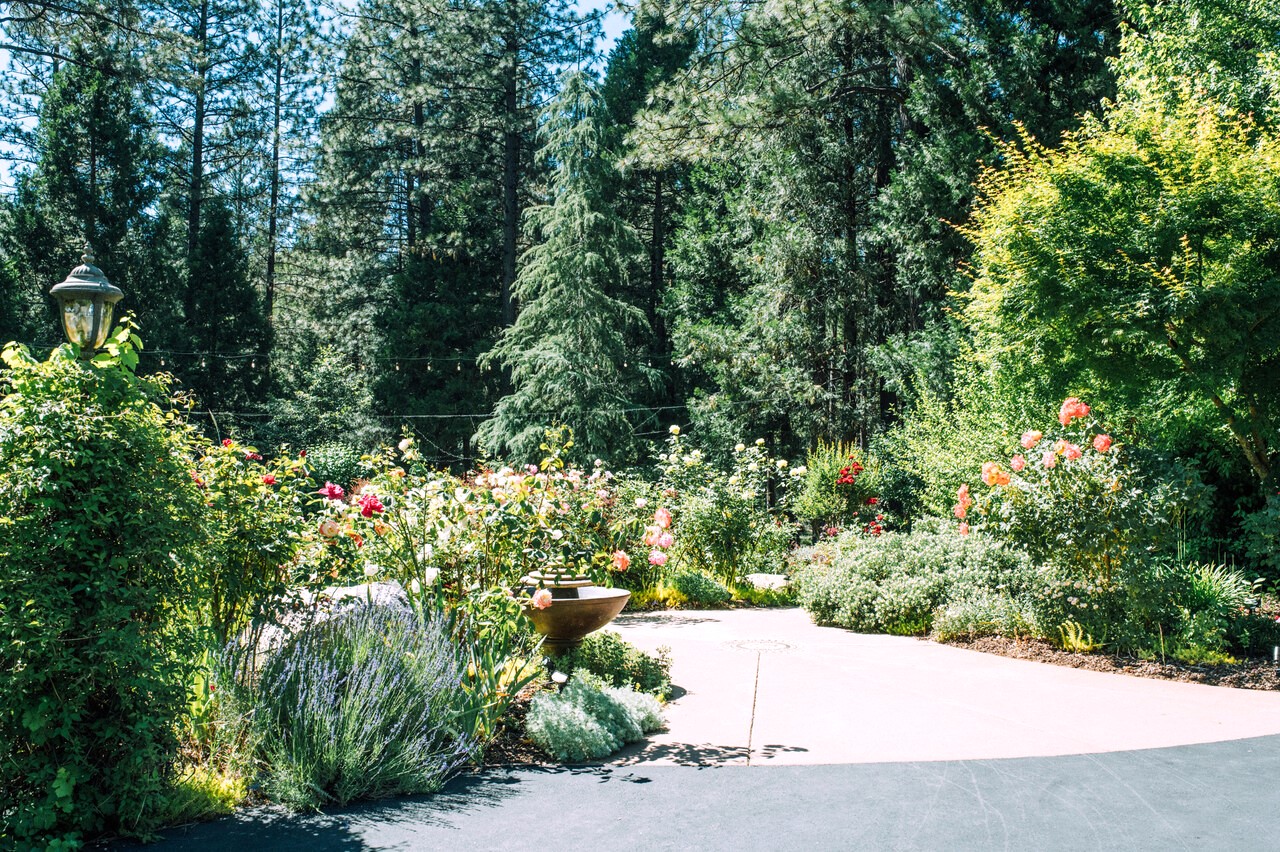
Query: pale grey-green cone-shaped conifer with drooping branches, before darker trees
{"x": 568, "y": 354}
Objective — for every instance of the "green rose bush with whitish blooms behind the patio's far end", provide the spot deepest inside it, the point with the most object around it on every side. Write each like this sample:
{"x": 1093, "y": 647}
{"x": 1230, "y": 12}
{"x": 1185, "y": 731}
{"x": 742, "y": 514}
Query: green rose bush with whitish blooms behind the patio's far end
{"x": 728, "y": 524}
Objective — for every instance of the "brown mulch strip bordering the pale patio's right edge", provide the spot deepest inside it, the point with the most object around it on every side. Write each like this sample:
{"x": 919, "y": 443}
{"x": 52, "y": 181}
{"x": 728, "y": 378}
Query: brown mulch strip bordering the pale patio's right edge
{"x": 1246, "y": 675}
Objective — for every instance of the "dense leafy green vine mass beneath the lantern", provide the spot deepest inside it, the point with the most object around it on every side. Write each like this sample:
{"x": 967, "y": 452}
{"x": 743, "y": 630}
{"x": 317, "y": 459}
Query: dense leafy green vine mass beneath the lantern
{"x": 99, "y": 525}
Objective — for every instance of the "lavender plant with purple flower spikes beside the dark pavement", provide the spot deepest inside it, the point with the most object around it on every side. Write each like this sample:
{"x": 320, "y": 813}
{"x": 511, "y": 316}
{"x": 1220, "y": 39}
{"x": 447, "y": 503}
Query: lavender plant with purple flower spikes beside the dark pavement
{"x": 359, "y": 706}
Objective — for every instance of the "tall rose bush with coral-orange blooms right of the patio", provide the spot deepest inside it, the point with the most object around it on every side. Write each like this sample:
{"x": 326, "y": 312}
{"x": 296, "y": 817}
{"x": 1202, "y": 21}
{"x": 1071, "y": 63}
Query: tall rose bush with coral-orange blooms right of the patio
{"x": 1098, "y": 524}
